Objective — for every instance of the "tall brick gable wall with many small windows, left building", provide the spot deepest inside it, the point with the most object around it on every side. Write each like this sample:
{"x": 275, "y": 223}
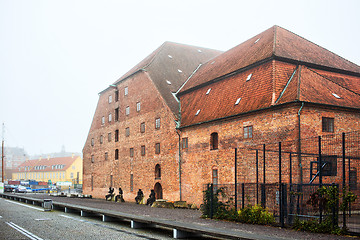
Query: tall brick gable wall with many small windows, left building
{"x": 140, "y": 89}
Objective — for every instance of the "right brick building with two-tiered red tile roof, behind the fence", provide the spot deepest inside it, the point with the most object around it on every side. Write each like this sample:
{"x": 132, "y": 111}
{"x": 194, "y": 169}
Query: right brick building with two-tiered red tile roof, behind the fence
{"x": 274, "y": 87}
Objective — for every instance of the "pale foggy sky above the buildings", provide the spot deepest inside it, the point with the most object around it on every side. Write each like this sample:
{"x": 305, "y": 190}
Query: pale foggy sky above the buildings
{"x": 55, "y": 56}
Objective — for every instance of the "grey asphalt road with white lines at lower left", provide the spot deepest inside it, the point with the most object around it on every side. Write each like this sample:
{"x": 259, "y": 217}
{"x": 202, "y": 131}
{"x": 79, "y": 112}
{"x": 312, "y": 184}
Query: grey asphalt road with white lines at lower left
{"x": 25, "y": 221}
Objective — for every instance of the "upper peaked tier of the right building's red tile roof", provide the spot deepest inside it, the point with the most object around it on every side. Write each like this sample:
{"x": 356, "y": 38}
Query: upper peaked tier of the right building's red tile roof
{"x": 274, "y": 43}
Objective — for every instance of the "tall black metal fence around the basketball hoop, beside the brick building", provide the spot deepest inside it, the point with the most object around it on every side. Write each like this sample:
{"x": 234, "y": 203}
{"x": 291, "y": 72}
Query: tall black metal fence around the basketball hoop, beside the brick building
{"x": 283, "y": 176}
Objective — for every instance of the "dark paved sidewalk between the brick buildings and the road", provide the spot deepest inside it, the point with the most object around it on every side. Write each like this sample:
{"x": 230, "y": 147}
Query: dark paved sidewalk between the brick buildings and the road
{"x": 193, "y": 217}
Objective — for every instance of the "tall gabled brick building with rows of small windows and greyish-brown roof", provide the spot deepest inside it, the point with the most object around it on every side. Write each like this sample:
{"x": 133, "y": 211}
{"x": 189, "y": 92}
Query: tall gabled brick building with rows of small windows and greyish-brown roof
{"x": 133, "y": 141}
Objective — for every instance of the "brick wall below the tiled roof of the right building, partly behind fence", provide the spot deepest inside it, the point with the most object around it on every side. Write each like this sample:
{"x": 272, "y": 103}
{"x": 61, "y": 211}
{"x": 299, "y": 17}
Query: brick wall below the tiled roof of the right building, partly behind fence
{"x": 271, "y": 126}
